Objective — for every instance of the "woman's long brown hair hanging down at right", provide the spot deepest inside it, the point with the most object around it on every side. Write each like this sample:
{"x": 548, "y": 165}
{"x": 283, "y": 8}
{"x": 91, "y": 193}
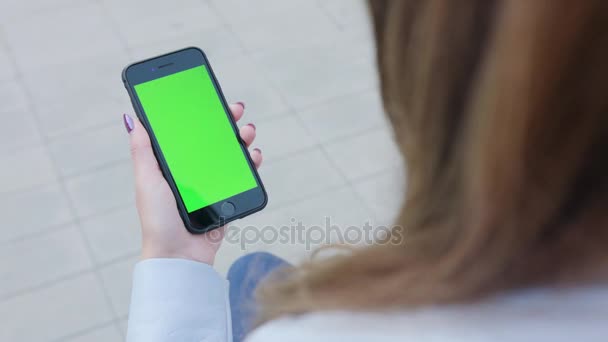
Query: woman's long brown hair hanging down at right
{"x": 500, "y": 109}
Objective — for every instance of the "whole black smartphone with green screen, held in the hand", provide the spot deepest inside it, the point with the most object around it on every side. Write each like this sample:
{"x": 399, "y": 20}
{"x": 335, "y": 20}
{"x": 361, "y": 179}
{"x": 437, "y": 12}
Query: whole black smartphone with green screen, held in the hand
{"x": 195, "y": 139}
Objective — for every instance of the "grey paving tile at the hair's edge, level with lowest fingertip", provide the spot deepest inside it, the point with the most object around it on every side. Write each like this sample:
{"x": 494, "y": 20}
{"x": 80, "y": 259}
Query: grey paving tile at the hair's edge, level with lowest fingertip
{"x": 365, "y": 154}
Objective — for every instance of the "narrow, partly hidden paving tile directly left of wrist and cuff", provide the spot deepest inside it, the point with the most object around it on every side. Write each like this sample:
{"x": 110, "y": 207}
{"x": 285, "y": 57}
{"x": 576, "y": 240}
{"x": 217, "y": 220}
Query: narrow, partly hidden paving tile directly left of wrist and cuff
{"x": 117, "y": 282}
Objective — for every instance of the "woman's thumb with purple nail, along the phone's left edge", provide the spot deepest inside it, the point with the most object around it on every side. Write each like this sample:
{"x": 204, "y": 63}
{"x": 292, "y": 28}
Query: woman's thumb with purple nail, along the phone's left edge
{"x": 144, "y": 162}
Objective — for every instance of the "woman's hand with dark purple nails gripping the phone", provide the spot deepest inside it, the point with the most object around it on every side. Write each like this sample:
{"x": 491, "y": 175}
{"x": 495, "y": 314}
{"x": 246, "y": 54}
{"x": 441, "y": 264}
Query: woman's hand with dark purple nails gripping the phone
{"x": 163, "y": 231}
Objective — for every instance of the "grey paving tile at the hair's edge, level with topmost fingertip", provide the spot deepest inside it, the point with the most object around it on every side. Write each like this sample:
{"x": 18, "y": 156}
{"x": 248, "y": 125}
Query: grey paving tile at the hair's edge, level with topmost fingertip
{"x": 348, "y": 115}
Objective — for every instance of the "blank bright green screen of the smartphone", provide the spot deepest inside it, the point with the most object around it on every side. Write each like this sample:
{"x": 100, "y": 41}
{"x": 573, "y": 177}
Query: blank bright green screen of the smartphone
{"x": 195, "y": 137}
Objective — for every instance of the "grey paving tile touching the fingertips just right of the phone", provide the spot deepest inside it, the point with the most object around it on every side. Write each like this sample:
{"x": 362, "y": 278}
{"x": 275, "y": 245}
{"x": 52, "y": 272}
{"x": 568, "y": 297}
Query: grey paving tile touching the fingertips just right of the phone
{"x": 281, "y": 137}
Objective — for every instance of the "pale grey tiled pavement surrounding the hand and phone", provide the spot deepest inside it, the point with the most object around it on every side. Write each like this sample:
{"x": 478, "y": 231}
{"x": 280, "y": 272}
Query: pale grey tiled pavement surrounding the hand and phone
{"x": 68, "y": 228}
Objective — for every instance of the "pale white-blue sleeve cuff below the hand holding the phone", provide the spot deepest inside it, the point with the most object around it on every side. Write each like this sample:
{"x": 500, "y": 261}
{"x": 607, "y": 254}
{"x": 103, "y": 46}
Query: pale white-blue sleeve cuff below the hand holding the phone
{"x": 178, "y": 300}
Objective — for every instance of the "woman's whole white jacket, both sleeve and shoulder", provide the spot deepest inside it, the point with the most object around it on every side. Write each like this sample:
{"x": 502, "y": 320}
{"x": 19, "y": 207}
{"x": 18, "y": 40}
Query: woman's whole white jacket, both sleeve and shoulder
{"x": 180, "y": 300}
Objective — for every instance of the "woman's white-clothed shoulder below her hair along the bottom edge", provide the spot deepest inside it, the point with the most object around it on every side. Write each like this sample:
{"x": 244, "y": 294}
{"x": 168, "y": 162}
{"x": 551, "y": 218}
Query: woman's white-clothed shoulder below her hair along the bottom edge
{"x": 534, "y": 315}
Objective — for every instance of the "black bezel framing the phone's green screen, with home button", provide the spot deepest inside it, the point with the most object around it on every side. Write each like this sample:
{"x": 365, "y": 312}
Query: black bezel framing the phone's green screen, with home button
{"x": 209, "y": 217}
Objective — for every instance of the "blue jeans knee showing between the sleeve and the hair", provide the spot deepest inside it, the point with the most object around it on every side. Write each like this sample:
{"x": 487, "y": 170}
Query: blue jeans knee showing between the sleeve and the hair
{"x": 244, "y": 275}
